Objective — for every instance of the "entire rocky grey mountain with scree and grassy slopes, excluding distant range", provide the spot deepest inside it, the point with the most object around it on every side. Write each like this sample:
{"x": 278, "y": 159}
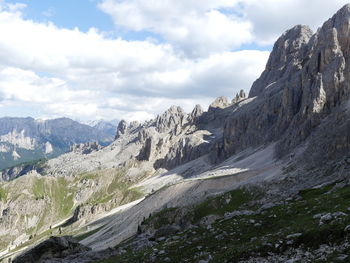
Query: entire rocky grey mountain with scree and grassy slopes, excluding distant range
{"x": 259, "y": 178}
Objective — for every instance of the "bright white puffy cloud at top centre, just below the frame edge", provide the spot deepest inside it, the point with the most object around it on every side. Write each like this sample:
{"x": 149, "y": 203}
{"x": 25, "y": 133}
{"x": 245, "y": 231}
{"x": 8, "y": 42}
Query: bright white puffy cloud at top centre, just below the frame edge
{"x": 196, "y": 27}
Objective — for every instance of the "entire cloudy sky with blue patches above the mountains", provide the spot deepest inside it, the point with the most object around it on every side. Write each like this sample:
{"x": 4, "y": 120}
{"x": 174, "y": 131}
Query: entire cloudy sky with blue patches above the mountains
{"x": 132, "y": 59}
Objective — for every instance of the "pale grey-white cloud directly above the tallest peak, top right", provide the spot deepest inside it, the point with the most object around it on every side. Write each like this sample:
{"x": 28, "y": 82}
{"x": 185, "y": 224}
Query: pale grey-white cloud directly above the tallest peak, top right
{"x": 272, "y": 17}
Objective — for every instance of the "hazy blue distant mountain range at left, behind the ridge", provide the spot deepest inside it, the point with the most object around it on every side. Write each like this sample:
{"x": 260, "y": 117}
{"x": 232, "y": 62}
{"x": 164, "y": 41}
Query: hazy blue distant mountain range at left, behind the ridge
{"x": 27, "y": 139}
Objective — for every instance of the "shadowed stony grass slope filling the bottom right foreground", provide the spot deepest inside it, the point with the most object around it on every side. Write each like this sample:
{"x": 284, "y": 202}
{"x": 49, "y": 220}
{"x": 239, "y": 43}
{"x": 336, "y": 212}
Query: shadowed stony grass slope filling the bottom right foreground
{"x": 312, "y": 226}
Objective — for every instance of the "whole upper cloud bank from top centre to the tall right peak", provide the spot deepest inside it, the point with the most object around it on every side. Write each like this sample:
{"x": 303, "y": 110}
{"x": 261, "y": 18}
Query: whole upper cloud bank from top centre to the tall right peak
{"x": 200, "y": 28}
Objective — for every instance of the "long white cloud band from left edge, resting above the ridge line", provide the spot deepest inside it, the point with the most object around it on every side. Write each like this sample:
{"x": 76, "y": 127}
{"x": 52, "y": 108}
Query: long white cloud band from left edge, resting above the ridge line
{"x": 88, "y": 75}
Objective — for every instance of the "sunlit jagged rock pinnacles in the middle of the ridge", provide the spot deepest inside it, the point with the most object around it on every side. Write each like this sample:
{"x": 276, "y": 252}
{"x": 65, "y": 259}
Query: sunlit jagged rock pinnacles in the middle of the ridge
{"x": 174, "y": 138}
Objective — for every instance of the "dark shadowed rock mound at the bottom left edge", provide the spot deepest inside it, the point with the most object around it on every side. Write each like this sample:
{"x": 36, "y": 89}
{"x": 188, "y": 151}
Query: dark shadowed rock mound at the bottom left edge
{"x": 55, "y": 247}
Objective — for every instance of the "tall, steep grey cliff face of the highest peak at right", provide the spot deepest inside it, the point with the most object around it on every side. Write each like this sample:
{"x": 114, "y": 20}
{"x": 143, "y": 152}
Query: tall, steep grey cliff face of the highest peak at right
{"x": 306, "y": 79}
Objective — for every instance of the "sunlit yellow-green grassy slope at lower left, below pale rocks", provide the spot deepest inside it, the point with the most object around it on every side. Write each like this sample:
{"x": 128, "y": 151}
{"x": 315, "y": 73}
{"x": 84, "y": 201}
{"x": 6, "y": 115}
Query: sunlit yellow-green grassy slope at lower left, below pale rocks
{"x": 58, "y": 194}
